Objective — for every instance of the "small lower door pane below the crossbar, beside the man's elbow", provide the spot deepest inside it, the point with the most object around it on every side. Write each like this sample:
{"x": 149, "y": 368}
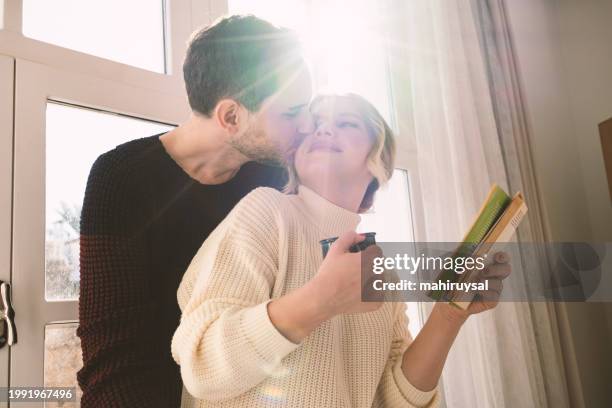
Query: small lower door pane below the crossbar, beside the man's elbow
{"x": 63, "y": 359}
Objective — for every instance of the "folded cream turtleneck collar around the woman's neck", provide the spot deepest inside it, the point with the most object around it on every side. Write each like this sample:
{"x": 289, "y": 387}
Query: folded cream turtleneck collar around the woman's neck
{"x": 331, "y": 219}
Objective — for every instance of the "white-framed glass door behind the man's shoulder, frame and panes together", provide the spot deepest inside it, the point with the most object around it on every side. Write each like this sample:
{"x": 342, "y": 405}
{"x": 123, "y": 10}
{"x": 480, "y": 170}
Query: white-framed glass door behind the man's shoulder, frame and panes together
{"x": 63, "y": 122}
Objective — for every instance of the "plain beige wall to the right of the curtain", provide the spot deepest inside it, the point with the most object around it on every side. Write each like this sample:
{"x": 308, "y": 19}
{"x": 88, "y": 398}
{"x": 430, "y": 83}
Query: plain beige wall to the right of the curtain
{"x": 564, "y": 53}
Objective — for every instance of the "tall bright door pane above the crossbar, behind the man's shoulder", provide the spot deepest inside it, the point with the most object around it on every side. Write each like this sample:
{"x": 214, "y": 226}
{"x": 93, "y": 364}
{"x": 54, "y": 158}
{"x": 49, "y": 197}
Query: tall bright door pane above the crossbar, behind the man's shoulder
{"x": 75, "y": 137}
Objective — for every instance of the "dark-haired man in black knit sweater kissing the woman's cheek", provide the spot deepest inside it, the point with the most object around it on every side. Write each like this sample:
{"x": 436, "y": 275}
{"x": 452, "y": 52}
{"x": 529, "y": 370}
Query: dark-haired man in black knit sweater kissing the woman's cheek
{"x": 150, "y": 203}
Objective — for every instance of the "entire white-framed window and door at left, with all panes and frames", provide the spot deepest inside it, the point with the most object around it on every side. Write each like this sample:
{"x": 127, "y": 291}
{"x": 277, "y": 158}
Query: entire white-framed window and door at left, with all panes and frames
{"x": 82, "y": 54}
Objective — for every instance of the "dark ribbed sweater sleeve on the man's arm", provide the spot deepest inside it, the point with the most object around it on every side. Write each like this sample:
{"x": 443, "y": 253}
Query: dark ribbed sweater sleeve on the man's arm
{"x": 122, "y": 355}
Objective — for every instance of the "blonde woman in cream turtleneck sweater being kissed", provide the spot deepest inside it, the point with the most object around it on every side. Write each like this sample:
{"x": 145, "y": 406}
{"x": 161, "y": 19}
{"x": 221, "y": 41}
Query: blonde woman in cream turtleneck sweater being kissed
{"x": 266, "y": 322}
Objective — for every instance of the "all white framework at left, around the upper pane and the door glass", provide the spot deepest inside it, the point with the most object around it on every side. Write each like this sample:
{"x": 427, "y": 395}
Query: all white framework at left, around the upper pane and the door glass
{"x": 33, "y": 72}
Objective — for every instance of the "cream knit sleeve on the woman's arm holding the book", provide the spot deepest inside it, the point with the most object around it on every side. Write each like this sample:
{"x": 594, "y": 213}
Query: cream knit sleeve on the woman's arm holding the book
{"x": 394, "y": 387}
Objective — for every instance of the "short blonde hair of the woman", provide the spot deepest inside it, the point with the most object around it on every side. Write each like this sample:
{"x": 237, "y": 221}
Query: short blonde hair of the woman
{"x": 380, "y": 160}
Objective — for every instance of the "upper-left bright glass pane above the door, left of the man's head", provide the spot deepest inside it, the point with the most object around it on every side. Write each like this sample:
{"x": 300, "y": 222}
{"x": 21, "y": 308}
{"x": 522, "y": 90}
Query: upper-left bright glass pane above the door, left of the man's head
{"x": 131, "y": 32}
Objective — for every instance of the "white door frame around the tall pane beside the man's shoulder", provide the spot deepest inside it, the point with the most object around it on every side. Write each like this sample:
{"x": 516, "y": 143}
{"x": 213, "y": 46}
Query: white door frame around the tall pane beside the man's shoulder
{"x": 35, "y": 85}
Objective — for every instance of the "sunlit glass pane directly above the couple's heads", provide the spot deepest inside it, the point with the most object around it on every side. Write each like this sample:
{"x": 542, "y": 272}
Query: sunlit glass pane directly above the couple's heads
{"x": 344, "y": 44}
